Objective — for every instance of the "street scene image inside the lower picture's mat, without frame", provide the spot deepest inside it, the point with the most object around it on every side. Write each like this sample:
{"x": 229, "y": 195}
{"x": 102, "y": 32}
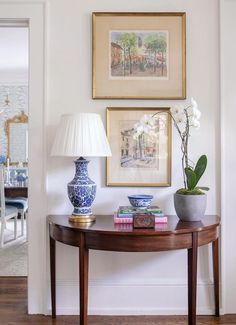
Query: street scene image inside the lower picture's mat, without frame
{"x": 137, "y": 150}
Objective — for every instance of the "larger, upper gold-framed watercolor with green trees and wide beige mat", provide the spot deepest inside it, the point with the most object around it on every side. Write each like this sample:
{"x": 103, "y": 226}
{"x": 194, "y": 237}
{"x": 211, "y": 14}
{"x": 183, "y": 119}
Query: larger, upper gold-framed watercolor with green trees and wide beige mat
{"x": 139, "y": 55}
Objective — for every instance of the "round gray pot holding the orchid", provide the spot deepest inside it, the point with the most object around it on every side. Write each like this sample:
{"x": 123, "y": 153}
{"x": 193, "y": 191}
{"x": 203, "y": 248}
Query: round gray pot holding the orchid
{"x": 190, "y": 207}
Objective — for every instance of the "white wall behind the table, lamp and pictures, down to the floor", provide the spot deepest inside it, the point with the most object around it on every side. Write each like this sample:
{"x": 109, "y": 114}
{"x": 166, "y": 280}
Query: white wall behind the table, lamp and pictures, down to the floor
{"x": 147, "y": 282}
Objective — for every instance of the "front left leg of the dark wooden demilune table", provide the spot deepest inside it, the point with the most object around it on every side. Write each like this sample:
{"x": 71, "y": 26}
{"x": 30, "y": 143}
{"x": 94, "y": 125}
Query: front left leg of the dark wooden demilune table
{"x": 83, "y": 271}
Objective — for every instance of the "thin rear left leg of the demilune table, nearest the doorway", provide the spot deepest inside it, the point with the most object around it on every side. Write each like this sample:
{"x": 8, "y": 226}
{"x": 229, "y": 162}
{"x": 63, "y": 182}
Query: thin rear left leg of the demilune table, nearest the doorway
{"x": 53, "y": 275}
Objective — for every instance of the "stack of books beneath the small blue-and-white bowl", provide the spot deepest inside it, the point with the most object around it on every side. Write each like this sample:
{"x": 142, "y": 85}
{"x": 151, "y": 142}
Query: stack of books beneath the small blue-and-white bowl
{"x": 125, "y": 214}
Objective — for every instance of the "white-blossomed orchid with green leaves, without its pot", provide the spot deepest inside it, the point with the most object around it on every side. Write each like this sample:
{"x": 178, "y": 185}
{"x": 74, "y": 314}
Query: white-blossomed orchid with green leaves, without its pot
{"x": 184, "y": 119}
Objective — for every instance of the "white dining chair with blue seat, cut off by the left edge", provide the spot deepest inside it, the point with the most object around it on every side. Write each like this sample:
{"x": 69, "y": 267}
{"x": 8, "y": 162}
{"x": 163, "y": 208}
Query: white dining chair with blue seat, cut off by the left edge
{"x": 6, "y": 212}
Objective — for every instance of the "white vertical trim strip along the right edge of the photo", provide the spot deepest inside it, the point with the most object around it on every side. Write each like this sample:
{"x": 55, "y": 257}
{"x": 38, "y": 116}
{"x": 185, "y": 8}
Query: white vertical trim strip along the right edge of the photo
{"x": 228, "y": 133}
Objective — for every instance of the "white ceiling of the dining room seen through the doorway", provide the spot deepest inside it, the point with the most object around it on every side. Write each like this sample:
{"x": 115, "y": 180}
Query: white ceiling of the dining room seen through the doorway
{"x": 13, "y": 48}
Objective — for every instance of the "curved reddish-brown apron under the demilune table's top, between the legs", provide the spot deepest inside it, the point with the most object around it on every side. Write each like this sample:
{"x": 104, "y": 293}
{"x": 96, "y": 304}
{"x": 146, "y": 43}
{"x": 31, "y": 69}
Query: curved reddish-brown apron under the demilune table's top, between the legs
{"x": 131, "y": 243}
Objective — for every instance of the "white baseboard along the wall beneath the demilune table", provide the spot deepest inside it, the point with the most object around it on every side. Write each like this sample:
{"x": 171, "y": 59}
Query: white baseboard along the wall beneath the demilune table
{"x": 133, "y": 297}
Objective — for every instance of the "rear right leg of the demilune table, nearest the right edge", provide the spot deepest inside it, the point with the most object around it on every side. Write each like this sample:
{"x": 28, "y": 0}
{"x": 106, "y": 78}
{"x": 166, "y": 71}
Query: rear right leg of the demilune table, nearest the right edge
{"x": 215, "y": 256}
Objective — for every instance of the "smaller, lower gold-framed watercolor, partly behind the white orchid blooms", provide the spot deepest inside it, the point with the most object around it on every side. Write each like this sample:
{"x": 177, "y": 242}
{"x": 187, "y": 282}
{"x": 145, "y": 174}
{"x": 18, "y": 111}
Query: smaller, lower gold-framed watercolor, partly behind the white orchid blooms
{"x": 139, "y": 158}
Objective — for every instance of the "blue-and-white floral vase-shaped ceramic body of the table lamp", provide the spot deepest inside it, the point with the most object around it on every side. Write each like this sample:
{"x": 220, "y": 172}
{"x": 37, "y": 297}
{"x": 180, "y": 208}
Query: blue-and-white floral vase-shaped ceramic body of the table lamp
{"x": 81, "y": 189}
